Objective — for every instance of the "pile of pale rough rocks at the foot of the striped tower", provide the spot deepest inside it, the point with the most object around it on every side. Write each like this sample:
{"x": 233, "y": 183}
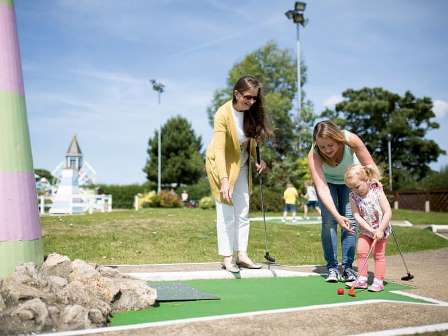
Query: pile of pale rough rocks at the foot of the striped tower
{"x": 63, "y": 295}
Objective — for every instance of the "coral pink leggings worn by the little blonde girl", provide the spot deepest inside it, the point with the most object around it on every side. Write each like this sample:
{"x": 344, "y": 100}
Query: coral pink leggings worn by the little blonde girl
{"x": 379, "y": 254}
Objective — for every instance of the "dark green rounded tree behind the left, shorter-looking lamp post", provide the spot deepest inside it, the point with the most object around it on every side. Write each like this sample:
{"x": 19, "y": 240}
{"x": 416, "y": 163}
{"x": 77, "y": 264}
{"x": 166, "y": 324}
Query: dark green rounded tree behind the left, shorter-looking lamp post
{"x": 182, "y": 161}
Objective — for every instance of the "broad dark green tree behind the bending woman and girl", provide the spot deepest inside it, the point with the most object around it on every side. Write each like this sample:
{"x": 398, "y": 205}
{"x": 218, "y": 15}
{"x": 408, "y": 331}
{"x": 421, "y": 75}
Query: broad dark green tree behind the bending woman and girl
{"x": 375, "y": 114}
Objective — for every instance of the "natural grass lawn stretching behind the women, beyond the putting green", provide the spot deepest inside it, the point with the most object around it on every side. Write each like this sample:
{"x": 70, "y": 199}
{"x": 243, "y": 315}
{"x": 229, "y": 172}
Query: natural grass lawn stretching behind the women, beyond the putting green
{"x": 189, "y": 235}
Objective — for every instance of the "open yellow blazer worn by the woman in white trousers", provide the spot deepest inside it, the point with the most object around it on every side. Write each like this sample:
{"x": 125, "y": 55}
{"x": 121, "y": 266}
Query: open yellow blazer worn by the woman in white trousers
{"x": 223, "y": 153}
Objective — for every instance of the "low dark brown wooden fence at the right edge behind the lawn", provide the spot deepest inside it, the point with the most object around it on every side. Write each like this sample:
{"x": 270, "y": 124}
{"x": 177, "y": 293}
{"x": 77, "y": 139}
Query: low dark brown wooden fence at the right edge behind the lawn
{"x": 433, "y": 200}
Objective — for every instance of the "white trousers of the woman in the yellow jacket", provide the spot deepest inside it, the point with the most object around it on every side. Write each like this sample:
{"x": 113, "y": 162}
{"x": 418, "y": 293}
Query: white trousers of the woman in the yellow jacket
{"x": 232, "y": 221}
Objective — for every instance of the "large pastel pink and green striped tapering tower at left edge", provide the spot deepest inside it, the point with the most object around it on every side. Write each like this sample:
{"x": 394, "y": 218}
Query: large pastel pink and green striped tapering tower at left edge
{"x": 20, "y": 230}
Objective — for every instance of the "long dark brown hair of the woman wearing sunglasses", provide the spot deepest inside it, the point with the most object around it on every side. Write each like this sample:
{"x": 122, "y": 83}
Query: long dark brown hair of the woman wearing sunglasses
{"x": 255, "y": 124}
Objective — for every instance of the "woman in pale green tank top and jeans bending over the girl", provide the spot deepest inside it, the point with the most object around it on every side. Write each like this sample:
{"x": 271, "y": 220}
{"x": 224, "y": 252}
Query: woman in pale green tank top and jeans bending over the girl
{"x": 333, "y": 151}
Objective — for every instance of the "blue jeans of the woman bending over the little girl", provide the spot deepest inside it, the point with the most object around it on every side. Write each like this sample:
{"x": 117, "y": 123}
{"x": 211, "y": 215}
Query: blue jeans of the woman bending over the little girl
{"x": 340, "y": 196}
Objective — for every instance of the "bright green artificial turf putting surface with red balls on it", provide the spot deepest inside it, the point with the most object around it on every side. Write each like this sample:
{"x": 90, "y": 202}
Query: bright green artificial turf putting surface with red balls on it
{"x": 249, "y": 295}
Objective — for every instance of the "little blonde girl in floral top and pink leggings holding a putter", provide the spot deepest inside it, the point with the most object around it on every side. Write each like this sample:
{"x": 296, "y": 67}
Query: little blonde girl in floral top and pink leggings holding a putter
{"x": 372, "y": 211}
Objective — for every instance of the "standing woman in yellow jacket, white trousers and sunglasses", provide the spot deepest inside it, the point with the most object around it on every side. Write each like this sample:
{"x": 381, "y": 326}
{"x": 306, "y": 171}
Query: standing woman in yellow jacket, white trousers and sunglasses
{"x": 238, "y": 125}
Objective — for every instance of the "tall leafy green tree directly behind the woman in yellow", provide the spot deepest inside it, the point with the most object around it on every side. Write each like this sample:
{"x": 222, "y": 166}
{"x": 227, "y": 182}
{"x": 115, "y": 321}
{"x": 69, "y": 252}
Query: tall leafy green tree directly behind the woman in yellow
{"x": 276, "y": 69}
